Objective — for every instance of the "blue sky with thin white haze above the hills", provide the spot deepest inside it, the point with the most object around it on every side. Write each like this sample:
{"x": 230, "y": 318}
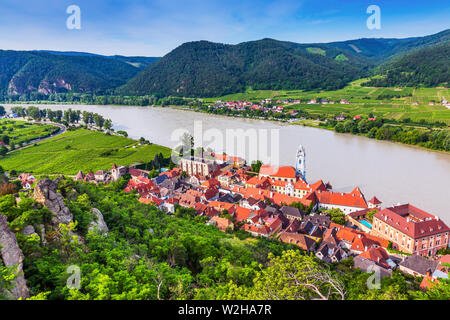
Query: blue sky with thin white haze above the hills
{"x": 155, "y": 27}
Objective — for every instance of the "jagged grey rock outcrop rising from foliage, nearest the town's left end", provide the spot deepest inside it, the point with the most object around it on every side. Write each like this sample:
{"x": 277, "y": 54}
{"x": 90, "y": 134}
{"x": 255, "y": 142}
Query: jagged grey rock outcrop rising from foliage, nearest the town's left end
{"x": 45, "y": 193}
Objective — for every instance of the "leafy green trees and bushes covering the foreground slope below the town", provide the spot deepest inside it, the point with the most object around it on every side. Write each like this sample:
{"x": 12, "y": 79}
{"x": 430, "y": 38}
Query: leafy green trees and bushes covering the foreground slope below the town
{"x": 148, "y": 254}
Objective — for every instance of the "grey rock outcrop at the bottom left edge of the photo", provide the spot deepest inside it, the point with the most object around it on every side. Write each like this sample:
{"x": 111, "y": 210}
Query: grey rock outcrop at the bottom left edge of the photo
{"x": 13, "y": 256}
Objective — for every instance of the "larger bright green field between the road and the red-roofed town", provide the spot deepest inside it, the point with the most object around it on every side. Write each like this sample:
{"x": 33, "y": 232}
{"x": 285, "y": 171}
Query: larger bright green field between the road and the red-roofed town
{"x": 80, "y": 150}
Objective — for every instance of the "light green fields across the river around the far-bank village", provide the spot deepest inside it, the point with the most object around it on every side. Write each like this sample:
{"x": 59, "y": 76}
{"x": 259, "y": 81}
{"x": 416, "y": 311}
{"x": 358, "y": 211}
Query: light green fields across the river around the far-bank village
{"x": 390, "y": 103}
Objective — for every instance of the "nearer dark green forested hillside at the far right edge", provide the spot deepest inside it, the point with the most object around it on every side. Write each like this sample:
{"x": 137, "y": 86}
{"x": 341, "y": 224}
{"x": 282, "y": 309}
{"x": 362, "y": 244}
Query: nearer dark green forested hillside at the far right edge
{"x": 429, "y": 67}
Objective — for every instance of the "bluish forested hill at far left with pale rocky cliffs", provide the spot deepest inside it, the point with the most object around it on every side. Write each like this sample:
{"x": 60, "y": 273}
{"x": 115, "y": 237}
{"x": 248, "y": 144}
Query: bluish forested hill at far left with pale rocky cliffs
{"x": 52, "y": 72}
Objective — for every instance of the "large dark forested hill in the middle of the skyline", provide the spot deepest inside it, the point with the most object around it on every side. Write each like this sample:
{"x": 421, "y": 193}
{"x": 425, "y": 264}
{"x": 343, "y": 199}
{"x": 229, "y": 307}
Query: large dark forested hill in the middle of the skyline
{"x": 211, "y": 69}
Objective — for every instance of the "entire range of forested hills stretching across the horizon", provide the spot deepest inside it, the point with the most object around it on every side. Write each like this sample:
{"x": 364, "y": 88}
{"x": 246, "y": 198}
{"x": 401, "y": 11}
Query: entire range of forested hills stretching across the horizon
{"x": 206, "y": 69}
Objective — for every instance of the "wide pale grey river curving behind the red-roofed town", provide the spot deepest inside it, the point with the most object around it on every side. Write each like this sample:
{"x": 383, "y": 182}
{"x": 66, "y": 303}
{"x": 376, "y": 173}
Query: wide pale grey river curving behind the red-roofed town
{"x": 393, "y": 172}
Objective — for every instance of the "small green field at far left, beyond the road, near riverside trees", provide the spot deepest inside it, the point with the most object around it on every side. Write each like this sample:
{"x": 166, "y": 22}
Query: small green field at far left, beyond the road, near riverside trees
{"x": 22, "y": 131}
